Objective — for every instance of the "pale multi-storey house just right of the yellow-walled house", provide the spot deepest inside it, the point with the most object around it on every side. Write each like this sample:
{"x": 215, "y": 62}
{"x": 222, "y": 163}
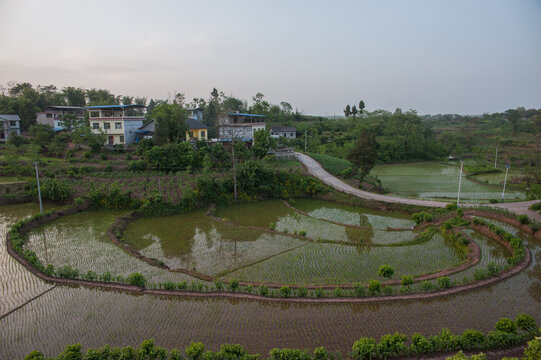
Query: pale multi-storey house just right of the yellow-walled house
{"x": 239, "y": 126}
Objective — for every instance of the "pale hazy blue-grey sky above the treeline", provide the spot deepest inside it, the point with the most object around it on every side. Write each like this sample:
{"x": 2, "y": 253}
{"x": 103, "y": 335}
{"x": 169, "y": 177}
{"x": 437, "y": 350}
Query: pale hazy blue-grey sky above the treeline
{"x": 461, "y": 56}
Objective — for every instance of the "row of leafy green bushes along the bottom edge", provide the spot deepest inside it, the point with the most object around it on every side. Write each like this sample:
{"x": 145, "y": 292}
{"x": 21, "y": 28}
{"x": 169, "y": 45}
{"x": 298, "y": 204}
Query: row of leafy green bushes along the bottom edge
{"x": 389, "y": 346}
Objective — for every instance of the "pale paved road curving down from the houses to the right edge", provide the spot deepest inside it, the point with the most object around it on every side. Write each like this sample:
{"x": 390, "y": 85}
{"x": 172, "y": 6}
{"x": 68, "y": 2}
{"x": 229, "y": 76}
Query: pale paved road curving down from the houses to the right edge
{"x": 315, "y": 169}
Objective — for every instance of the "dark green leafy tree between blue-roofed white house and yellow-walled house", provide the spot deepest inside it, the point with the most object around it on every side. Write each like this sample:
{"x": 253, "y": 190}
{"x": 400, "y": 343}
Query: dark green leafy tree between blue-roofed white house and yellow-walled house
{"x": 170, "y": 123}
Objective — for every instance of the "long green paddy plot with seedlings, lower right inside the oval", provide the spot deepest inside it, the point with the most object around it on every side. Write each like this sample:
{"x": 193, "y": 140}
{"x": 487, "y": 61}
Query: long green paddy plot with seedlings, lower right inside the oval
{"x": 335, "y": 264}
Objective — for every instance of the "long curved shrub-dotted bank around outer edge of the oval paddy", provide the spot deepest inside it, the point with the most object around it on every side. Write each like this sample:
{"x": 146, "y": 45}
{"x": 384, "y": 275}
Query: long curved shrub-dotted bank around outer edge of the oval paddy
{"x": 135, "y": 289}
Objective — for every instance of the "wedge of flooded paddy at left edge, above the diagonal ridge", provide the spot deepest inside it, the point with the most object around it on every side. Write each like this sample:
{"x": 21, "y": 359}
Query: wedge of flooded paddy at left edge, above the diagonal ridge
{"x": 17, "y": 286}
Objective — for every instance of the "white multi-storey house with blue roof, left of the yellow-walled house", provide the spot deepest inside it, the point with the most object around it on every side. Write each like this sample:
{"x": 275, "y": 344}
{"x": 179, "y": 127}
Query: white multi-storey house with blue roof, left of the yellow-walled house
{"x": 118, "y": 122}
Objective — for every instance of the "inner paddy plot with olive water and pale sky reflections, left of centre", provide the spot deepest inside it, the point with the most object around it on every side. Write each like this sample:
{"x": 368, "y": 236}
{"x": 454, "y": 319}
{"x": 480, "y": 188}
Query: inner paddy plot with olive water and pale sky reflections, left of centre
{"x": 196, "y": 242}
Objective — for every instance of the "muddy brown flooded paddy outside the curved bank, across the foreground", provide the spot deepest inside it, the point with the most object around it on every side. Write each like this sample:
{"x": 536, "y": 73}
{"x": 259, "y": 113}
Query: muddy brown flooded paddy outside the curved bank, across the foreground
{"x": 67, "y": 315}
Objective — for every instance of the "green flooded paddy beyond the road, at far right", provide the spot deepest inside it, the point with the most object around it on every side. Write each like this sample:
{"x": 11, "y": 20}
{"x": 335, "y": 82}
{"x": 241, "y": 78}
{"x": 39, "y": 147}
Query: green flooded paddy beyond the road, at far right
{"x": 434, "y": 181}
